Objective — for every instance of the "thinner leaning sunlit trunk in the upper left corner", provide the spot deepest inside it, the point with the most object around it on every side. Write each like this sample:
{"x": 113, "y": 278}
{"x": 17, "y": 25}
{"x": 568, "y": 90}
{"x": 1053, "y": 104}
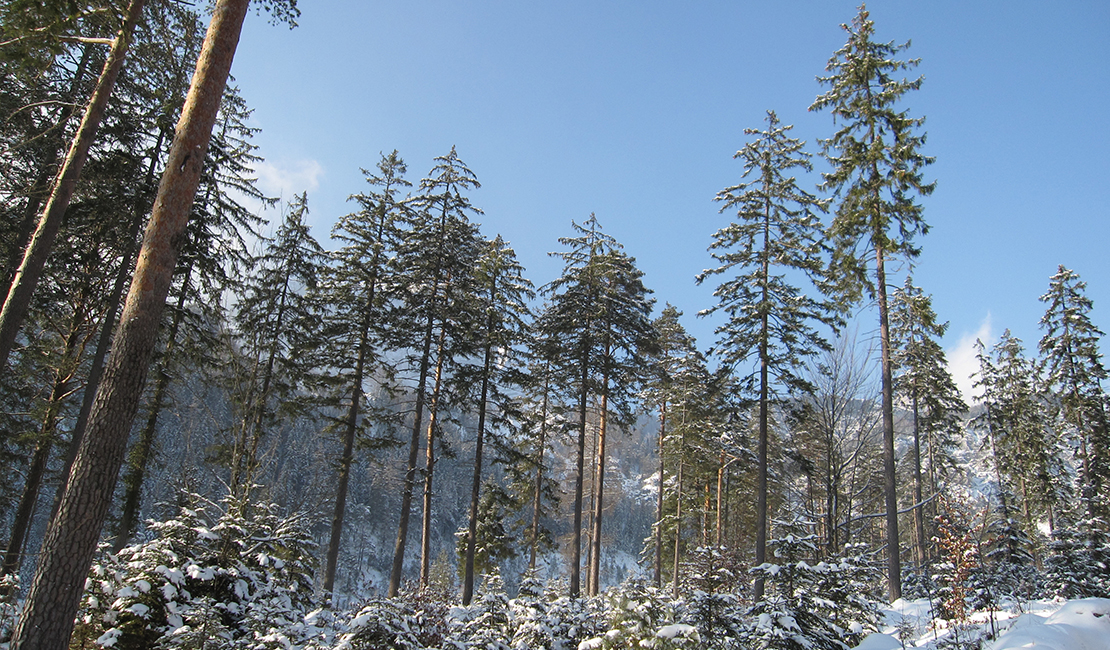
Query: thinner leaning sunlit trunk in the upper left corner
{"x": 27, "y": 278}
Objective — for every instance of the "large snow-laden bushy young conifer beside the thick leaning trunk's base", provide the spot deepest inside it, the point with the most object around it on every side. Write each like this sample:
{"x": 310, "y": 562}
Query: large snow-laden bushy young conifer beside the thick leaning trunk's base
{"x": 246, "y": 578}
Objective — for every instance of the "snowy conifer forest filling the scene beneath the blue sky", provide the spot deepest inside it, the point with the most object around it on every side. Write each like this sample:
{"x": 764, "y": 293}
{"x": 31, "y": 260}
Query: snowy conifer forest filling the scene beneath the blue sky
{"x": 224, "y": 432}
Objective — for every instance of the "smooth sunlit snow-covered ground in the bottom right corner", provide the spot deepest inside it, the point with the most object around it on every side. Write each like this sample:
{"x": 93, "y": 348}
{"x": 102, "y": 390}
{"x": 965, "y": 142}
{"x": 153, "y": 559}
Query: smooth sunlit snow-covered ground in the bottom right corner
{"x": 1076, "y": 625}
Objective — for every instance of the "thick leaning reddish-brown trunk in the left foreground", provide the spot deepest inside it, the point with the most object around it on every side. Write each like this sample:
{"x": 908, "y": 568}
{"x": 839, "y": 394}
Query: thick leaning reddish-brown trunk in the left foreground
{"x": 47, "y": 621}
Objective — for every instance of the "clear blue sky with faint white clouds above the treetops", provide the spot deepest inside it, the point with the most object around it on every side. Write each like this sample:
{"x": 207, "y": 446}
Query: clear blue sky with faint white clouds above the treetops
{"x": 633, "y": 110}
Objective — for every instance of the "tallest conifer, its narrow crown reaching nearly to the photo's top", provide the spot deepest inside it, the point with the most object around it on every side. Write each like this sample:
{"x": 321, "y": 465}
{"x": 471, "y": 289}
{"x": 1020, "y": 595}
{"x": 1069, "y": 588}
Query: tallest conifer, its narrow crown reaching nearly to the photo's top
{"x": 876, "y": 174}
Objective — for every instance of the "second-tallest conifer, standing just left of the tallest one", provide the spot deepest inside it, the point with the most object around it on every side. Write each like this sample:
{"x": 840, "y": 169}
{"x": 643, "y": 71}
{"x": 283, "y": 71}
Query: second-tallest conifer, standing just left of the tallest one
{"x": 771, "y": 322}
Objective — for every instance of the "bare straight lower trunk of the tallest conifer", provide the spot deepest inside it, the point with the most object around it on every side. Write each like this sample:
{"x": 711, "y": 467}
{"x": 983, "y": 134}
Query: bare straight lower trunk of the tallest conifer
{"x": 890, "y": 487}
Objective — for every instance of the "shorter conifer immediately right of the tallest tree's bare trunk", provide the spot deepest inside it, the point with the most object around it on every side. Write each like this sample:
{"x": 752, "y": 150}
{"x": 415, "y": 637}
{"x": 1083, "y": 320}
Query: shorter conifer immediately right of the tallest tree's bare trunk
{"x": 923, "y": 381}
